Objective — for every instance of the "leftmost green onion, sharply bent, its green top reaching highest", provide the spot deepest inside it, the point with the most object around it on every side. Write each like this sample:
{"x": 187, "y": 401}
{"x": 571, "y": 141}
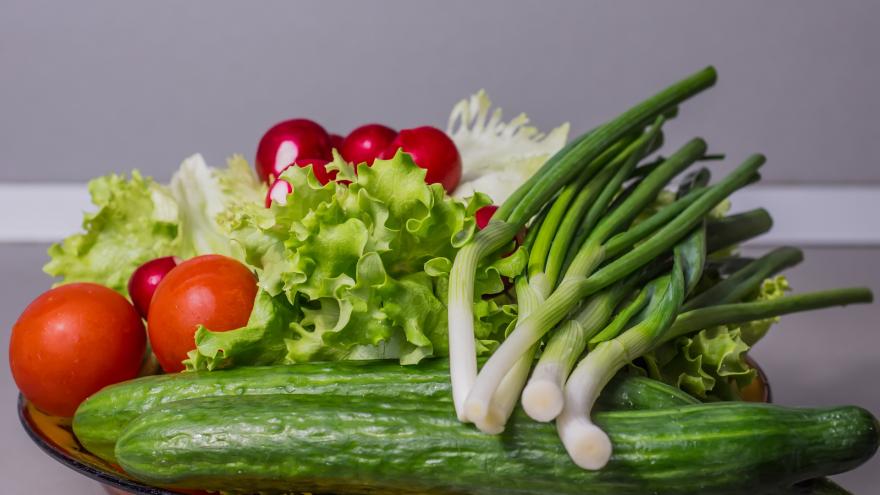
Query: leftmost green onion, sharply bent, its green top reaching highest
{"x": 576, "y": 160}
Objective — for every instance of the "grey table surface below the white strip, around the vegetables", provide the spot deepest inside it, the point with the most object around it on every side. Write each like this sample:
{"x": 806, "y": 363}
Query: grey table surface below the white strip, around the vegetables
{"x": 822, "y": 358}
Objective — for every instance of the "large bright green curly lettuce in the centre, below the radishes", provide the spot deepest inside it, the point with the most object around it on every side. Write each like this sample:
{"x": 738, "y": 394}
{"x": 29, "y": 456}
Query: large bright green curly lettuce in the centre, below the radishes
{"x": 355, "y": 270}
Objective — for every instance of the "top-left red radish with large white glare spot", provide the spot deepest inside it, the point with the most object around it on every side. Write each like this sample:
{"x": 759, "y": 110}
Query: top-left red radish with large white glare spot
{"x": 288, "y": 142}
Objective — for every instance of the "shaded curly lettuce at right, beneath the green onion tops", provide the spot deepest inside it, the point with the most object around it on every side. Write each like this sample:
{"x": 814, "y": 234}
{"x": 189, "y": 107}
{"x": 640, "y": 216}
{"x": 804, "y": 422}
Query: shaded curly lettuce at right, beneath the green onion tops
{"x": 711, "y": 364}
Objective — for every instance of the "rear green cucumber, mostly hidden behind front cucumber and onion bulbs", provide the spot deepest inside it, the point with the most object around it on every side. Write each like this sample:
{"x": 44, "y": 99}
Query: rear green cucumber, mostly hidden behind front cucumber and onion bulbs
{"x": 101, "y": 418}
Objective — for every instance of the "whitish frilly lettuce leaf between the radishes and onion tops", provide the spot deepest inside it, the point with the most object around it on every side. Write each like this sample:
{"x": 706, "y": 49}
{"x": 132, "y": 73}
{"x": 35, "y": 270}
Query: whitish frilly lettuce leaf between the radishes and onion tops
{"x": 497, "y": 156}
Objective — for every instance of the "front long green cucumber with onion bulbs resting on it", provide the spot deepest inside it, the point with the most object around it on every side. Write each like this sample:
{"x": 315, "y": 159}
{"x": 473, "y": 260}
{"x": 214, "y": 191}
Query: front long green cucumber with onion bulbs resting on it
{"x": 358, "y": 445}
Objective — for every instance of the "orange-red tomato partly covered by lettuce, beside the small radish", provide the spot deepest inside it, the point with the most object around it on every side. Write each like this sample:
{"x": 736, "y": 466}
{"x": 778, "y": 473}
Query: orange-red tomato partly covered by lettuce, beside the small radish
{"x": 210, "y": 290}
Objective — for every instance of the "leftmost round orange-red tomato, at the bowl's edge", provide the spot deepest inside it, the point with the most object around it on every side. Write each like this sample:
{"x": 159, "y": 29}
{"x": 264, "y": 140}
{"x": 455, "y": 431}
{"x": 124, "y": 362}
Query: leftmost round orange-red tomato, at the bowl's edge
{"x": 72, "y": 341}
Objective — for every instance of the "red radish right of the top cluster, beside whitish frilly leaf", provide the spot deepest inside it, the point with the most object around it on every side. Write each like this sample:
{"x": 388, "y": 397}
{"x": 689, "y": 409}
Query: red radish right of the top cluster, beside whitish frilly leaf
{"x": 431, "y": 149}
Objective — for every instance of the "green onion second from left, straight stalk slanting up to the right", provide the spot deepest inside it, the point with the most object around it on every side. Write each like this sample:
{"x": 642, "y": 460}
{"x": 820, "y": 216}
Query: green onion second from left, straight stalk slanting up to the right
{"x": 576, "y": 286}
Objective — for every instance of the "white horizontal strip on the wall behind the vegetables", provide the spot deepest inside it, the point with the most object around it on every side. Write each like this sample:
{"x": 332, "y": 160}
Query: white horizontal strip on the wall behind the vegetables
{"x": 803, "y": 215}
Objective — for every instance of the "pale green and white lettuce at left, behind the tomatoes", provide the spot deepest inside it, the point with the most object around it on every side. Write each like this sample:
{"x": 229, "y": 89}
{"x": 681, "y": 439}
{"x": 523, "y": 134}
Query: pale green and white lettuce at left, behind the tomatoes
{"x": 138, "y": 219}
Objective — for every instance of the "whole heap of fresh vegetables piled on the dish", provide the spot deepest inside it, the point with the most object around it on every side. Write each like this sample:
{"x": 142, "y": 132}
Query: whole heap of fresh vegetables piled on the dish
{"x": 299, "y": 312}
